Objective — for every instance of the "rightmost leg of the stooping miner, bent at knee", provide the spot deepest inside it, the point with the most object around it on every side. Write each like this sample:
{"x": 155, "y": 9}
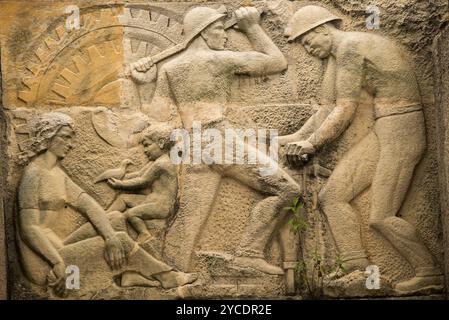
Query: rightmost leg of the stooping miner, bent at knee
{"x": 399, "y": 157}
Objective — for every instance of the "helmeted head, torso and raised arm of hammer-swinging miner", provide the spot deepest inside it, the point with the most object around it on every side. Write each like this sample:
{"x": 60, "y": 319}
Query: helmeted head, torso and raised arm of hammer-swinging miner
{"x": 204, "y": 71}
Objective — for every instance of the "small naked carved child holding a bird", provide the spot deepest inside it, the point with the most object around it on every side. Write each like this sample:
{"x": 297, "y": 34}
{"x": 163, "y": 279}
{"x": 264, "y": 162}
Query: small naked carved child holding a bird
{"x": 159, "y": 173}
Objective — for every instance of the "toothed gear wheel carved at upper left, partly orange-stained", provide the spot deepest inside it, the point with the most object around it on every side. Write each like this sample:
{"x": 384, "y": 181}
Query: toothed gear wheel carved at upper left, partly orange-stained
{"x": 84, "y": 67}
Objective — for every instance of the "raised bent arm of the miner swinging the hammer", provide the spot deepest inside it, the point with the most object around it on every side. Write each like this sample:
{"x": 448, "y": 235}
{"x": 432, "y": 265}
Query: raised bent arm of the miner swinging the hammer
{"x": 267, "y": 58}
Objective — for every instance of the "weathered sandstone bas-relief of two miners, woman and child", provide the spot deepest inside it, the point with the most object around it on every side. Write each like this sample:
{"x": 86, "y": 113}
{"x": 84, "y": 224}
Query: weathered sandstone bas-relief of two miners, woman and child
{"x": 139, "y": 226}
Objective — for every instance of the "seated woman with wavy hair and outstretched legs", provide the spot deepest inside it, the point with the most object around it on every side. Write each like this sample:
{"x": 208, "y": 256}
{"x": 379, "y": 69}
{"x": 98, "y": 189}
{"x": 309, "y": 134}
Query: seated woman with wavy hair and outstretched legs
{"x": 45, "y": 192}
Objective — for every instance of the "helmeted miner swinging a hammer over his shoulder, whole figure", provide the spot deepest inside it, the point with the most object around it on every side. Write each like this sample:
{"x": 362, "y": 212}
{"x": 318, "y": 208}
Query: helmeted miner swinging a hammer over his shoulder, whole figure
{"x": 194, "y": 87}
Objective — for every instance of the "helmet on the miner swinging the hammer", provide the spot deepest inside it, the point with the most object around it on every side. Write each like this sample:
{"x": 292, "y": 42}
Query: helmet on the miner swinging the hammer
{"x": 199, "y": 18}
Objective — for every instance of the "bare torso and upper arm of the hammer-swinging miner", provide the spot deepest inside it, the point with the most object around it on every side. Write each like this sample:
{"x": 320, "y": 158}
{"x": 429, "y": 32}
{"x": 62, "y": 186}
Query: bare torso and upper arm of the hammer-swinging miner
{"x": 197, "y": 83}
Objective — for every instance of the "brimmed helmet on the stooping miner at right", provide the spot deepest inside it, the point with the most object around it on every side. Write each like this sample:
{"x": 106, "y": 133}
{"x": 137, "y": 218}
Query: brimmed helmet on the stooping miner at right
{"x": 306, "y": 19}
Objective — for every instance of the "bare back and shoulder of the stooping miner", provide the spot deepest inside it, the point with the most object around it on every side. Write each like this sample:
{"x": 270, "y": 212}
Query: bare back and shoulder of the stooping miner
{"x": 377, "y": 65}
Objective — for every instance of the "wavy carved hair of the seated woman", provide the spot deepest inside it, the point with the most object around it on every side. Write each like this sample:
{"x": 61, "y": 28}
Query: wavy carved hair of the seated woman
{"x": 42, "y": 131}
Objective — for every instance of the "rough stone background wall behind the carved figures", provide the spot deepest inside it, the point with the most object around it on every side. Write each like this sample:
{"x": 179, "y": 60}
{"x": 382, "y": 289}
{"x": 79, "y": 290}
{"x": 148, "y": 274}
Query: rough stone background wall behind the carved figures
{"x": 47, "y": 68}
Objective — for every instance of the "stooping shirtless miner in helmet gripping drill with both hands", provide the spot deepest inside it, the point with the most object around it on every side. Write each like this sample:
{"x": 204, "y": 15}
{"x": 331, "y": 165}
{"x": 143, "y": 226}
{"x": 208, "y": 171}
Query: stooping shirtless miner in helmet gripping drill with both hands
{"x": 385, "y": 159}
